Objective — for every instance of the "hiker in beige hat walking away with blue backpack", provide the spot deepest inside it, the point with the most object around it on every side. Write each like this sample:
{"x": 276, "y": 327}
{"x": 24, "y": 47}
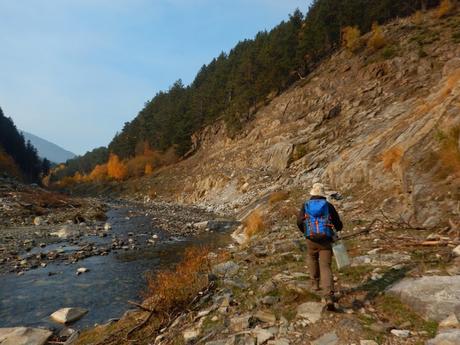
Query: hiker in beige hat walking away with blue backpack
{"x": 317, "y": 220}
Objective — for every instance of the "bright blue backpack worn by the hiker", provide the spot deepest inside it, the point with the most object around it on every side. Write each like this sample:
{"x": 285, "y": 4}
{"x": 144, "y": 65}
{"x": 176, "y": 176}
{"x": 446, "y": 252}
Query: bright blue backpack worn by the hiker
{"x": 317, "y": 220}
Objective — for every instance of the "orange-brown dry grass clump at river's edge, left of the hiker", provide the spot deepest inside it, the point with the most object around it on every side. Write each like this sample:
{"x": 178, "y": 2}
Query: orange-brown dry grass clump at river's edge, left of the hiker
{"x": 171, "y": 290}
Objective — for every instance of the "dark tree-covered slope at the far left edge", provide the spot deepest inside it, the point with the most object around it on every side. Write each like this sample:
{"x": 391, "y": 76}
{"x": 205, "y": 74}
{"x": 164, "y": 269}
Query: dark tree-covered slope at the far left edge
{"x": 18, "y": 157}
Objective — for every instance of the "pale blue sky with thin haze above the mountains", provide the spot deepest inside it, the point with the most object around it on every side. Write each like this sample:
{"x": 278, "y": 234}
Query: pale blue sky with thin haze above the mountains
{"x": 74, "y": 71}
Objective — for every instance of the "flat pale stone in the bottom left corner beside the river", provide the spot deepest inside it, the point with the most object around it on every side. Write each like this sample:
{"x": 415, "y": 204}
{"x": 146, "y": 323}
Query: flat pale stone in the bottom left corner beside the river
{"x": 24, "y": 336}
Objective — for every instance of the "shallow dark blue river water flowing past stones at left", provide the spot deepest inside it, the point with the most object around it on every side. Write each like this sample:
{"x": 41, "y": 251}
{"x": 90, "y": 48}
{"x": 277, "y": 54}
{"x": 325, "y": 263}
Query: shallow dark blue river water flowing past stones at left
{"x": 112, "y": 280}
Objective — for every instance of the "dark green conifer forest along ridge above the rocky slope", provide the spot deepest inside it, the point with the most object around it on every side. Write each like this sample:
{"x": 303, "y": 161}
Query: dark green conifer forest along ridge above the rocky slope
{"x": 234, "y": 85}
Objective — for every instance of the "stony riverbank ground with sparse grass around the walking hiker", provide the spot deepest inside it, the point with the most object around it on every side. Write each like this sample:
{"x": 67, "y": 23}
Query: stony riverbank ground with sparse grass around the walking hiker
{"x": 262, "y": 294}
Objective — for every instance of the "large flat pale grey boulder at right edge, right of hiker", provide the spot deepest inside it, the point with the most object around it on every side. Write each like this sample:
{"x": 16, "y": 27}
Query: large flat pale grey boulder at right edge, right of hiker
{"x": 434, "y": 297}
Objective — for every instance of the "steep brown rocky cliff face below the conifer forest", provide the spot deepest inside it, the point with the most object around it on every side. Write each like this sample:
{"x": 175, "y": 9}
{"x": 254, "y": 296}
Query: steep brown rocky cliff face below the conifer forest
{"x": 369, "y": 125}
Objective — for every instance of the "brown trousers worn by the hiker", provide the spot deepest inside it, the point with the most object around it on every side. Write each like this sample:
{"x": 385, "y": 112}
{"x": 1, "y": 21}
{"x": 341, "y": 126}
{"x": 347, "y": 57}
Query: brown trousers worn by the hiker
{"x": 319, "y": 263}
